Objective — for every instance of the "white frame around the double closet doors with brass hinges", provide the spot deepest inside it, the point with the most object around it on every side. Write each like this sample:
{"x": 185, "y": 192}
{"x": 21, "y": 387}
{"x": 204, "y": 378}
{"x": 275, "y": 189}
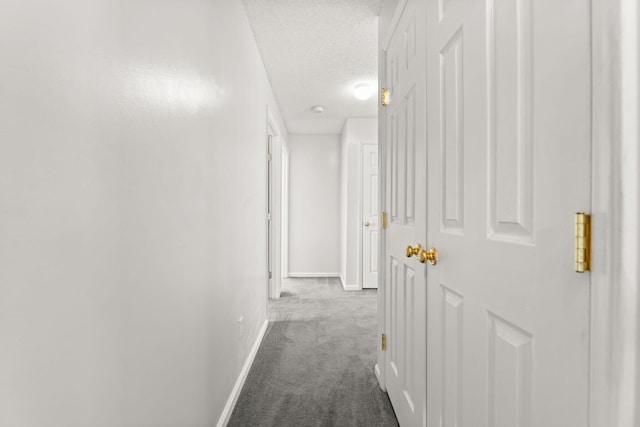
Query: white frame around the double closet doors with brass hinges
{"x": 614, "y": 384}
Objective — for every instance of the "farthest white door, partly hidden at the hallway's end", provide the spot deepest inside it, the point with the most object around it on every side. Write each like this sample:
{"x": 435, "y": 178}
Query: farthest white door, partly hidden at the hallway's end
{"x": 370, "y": 213}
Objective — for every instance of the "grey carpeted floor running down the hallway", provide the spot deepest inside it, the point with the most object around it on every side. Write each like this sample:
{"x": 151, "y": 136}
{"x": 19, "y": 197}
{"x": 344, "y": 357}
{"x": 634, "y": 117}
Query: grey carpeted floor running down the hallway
{"x": 315, "y": 365}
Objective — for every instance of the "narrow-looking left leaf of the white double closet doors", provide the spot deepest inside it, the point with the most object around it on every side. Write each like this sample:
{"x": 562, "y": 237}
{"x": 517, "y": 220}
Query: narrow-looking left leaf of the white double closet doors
{"x": 405, "y": 281}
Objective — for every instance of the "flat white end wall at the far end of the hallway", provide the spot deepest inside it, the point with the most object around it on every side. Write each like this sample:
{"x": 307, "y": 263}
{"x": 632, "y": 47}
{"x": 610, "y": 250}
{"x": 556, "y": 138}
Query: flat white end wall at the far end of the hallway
{"x": 314, "y": 205}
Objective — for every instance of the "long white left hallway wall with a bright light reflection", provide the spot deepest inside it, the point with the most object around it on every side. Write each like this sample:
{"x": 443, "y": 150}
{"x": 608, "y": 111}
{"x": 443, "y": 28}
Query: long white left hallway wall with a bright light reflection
{"x": 132, "y": 201}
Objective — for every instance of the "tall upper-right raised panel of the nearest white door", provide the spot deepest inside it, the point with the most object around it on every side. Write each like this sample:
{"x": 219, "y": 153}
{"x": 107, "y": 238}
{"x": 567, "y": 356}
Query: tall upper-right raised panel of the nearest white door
{"x": 509, "y": 53}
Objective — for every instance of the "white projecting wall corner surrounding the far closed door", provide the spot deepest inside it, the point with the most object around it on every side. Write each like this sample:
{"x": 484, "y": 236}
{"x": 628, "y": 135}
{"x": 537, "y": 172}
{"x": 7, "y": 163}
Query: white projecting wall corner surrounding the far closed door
{"x": 356, "y": 131}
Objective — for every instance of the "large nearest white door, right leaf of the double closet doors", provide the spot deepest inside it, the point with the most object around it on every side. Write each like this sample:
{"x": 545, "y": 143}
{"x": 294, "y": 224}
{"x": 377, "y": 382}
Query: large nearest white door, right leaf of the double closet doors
{"x": 508, "y": 108}
